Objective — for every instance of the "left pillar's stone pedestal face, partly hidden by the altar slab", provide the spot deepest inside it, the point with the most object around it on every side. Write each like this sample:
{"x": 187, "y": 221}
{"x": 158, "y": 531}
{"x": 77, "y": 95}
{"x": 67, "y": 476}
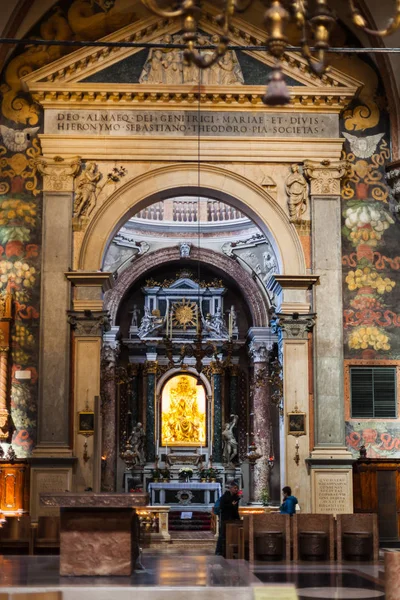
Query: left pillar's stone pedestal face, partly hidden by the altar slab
{"x": 45, "y": 481}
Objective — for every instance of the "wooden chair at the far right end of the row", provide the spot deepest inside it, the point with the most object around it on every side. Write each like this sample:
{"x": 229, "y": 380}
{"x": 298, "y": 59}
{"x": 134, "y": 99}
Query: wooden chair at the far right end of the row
{"x": 357, "y": 537}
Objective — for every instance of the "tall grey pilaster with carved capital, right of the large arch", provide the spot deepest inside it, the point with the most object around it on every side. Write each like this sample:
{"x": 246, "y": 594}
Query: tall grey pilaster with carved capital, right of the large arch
{"x": 325, "y": 201}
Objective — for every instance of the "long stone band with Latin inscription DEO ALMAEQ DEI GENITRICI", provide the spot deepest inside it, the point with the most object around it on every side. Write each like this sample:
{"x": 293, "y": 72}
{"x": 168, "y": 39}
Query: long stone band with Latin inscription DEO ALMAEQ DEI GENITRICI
{"x": 177, "y": 123}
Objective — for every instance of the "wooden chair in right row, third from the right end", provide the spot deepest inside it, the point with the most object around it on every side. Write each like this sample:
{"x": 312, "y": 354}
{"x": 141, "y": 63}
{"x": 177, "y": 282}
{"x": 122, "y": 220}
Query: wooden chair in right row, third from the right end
{"x": 272, "y": 530}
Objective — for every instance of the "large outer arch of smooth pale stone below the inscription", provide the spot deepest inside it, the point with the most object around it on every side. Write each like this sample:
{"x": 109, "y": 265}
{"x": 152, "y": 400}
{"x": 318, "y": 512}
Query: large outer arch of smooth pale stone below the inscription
{"x": 179, "y": 179}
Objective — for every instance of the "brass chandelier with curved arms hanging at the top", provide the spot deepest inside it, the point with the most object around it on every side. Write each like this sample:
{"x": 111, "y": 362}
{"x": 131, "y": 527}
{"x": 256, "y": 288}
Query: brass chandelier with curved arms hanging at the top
{"x": 314, "y": 25}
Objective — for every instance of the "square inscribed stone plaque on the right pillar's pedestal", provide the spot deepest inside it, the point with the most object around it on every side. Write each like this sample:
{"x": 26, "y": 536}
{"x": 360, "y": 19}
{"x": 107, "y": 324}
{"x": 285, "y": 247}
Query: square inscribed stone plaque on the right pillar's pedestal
{"x": 332, "y": 491}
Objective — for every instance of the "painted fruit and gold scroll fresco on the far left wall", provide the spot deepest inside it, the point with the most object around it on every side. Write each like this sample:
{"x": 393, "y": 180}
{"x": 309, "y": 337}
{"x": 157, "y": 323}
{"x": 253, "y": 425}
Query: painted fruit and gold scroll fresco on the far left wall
{"x": 21, "y": 197}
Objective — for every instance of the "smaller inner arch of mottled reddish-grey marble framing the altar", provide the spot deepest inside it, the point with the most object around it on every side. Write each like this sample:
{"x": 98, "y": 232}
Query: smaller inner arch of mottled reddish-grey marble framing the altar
{"x": 257, "y": 302}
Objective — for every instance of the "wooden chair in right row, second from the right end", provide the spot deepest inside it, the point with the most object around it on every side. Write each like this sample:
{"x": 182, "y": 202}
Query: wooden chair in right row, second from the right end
{"x": 313, "y": 537}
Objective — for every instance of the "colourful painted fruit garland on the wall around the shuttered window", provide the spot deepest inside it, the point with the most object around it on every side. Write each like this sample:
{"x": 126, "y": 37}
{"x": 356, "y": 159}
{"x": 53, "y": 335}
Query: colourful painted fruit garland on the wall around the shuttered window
{"x": 371, "y": 266}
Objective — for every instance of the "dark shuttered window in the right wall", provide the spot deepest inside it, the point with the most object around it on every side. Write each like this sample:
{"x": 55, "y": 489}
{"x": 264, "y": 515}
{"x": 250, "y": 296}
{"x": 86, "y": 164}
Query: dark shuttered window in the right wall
{"x": 373, "y": 392}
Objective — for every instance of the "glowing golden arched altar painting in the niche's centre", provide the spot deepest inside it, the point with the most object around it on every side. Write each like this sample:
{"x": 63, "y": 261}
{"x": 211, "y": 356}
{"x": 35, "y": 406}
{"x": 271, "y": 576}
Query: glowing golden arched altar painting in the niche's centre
{"x": 183, "y": 412}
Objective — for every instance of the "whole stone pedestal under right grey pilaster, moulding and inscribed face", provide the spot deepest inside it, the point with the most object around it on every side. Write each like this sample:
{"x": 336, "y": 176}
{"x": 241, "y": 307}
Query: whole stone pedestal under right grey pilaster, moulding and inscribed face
{"x": 331, "y": 480}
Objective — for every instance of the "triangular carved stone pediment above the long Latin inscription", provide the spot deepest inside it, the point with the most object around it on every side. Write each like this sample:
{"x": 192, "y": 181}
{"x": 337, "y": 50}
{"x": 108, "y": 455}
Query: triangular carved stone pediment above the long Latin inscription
{"x": 139, "y": 76}
